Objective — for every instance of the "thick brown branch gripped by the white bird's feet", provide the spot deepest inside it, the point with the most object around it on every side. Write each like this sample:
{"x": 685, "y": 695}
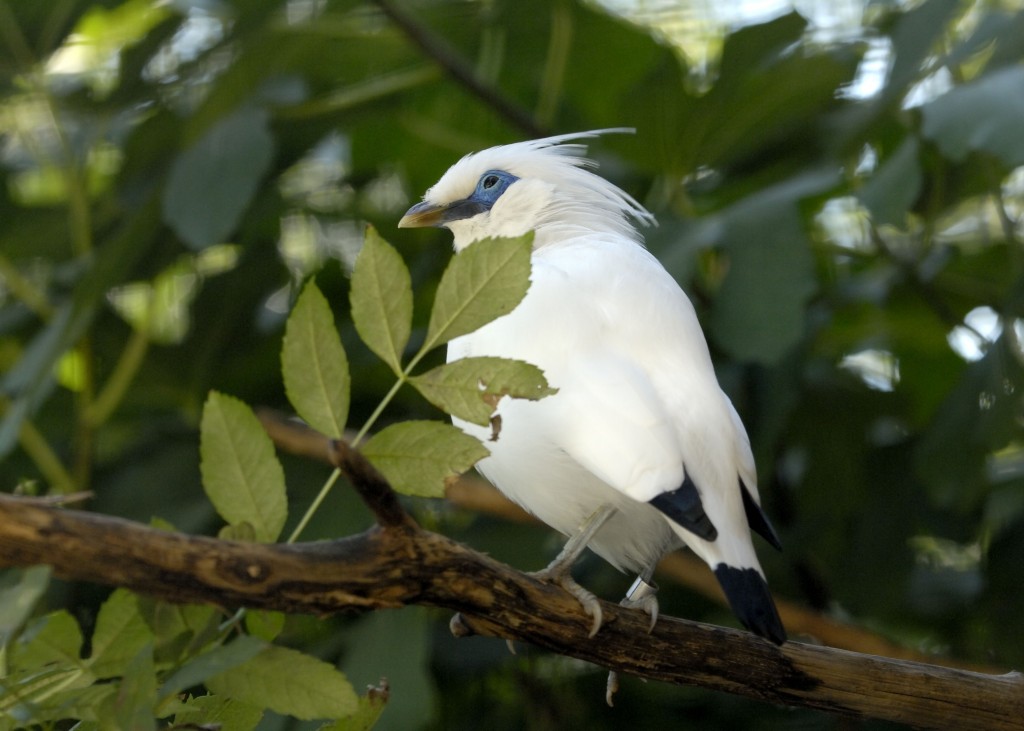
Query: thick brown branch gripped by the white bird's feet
{"x": 404, "y": 565}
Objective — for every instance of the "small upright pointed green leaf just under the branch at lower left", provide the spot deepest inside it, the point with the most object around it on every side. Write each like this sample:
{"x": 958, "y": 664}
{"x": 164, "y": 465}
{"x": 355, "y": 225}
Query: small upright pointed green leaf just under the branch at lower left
{"x": 120, "y": 635}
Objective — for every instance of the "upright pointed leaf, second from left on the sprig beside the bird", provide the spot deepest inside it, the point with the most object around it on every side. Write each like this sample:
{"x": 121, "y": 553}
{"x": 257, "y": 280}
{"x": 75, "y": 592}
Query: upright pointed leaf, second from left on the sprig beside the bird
{"x": 315, "y": 366}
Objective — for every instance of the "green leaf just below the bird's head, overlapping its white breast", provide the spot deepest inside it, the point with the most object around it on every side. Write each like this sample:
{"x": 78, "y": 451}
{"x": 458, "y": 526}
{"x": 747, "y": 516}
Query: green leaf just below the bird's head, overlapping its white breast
{"x": 484, "y": 282}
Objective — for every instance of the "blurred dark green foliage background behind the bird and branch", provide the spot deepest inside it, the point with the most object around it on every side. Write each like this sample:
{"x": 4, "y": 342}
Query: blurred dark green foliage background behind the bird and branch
{"x": 840, "y": 188}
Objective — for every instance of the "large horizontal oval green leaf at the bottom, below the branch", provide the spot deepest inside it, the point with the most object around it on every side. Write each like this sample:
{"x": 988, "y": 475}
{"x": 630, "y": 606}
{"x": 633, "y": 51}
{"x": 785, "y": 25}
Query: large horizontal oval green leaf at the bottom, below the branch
{"x": 289, "y": 682}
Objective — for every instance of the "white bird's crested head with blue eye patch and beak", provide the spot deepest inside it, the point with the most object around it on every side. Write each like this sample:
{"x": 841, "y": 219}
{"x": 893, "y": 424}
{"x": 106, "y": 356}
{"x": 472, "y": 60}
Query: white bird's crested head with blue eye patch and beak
{"x": 540, "y": 186}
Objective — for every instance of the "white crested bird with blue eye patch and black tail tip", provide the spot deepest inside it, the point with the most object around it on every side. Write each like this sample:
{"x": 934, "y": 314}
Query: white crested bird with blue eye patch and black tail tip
{"x": 639, "y": 452}
